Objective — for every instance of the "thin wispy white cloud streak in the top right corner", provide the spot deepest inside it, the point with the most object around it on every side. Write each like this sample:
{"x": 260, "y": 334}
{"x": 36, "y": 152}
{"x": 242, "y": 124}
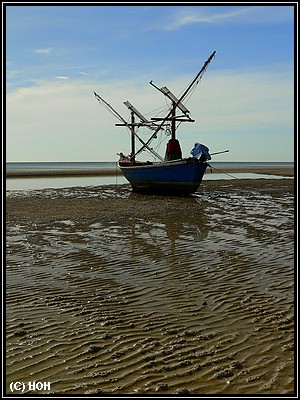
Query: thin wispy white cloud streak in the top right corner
{"x": 230, "y": 14}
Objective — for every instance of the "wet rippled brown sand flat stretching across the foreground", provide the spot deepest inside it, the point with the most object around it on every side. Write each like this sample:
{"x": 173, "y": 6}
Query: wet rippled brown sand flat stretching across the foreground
{"x": 111, "y": 292}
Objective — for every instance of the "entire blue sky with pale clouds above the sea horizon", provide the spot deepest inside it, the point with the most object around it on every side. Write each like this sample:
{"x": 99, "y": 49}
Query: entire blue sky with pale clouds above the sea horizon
{"x": 58, "y": 55}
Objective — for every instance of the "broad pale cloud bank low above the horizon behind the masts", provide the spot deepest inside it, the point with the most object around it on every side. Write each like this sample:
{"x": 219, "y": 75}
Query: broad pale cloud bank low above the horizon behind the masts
{"x": 62, "y": 121}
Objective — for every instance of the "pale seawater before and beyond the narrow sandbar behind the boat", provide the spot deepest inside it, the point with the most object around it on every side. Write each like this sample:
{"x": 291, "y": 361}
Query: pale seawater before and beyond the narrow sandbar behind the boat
{"x": 34, "y": 182}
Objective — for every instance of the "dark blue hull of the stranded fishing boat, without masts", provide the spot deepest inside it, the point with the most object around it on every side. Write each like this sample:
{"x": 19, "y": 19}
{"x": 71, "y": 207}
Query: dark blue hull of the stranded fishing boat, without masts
{"x": 173, "y": 177}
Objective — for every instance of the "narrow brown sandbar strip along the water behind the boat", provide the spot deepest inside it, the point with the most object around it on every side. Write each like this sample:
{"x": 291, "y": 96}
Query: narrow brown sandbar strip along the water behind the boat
{"x": 287, "y": 171}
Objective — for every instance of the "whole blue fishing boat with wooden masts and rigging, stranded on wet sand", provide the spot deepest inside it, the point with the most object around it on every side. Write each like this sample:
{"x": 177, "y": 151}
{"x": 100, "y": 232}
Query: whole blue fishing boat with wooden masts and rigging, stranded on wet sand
{"x": 172, "y": 174}
